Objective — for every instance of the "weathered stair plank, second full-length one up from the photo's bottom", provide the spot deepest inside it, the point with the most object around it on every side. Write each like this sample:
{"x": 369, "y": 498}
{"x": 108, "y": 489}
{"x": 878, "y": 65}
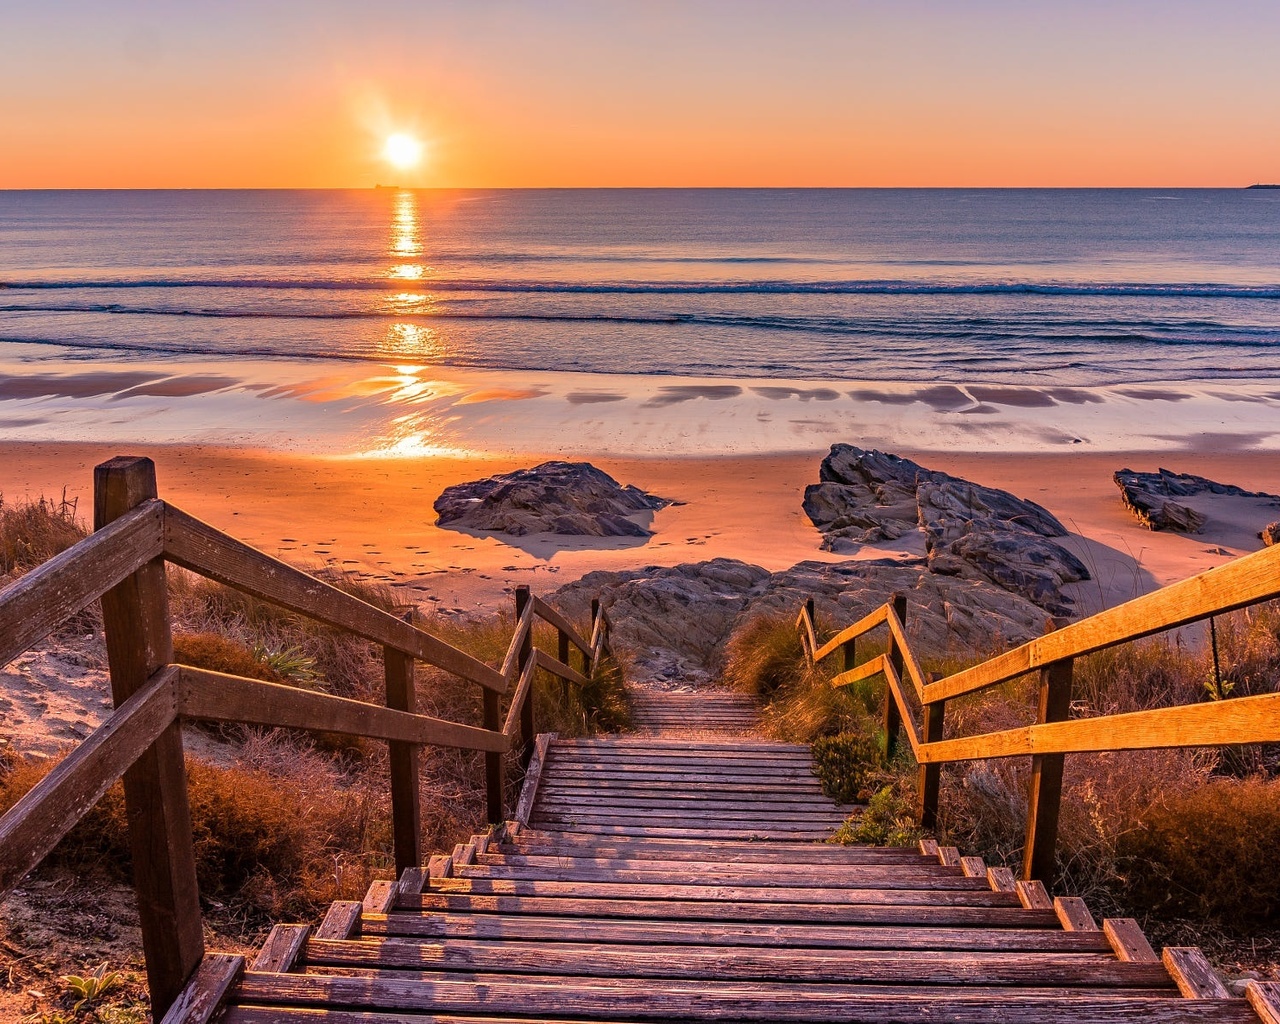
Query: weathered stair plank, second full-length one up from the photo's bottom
{"x": 747, "y": 963}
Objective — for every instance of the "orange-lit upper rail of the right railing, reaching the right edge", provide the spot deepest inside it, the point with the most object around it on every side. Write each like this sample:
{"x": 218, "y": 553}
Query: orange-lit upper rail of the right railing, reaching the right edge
{"x": 1244, "y": 582}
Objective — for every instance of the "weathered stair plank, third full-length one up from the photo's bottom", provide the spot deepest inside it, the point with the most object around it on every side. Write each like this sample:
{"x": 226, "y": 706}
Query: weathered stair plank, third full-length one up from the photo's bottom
{"x": 787, "y": 935}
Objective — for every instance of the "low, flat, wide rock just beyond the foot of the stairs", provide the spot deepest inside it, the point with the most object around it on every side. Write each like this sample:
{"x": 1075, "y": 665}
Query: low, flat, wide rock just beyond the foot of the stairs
{"x": 674, "y": 621}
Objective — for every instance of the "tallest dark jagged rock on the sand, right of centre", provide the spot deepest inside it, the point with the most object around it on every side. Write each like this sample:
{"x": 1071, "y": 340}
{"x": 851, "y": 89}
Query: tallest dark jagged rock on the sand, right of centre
{"x": 971, "y": 532}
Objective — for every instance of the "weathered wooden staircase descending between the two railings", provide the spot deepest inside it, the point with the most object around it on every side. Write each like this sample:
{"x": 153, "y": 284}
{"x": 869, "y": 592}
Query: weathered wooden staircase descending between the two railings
{"x": 651, "y": 879}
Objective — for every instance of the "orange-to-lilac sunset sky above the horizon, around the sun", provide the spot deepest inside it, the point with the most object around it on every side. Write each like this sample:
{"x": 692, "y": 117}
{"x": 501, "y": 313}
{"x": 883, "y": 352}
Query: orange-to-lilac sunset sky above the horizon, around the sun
{"x": 991, "y": 93}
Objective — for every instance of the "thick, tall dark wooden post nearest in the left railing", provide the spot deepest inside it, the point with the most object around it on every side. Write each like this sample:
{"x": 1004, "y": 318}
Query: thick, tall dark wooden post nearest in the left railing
{"x": 136, "y": 624}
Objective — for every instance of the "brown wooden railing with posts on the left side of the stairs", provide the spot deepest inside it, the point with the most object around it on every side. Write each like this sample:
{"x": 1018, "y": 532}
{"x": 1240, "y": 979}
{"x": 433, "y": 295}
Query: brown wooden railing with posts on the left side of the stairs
{"x": 124, "y": 565}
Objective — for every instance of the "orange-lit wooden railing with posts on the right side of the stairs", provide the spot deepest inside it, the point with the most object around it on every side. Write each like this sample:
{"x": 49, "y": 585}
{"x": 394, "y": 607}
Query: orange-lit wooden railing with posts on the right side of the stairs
{"x": 918, "y": 706}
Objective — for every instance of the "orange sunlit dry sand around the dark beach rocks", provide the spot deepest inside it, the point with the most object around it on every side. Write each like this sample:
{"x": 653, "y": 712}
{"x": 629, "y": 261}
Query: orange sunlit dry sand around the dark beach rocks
{"x": 374, "y": 516}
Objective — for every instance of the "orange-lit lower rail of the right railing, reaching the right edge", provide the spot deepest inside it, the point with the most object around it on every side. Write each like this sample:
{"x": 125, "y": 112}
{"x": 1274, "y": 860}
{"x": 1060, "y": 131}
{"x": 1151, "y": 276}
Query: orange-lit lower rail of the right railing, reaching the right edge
{"x": 1246, "y": 720}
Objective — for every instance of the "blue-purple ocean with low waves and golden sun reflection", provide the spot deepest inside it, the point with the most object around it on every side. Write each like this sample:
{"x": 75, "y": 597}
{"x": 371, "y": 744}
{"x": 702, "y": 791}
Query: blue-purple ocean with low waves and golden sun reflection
{"x": 1059, "y": 287}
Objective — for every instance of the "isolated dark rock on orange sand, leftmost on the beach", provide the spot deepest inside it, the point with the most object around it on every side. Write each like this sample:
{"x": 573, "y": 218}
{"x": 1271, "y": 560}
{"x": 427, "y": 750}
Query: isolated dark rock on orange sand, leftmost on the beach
{"x": 570, "y": 499}
